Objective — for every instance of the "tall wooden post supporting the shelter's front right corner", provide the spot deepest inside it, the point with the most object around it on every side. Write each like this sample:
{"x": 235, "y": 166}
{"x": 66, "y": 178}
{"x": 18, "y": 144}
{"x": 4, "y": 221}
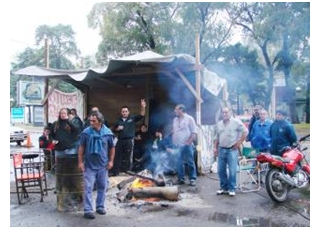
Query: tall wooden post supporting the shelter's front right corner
{"x": 198, "y": 104}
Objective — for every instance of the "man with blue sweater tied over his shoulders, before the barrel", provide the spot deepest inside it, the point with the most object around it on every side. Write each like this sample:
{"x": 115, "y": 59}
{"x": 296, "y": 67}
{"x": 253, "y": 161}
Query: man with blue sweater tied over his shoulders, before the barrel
{"x": 96, "y": 155}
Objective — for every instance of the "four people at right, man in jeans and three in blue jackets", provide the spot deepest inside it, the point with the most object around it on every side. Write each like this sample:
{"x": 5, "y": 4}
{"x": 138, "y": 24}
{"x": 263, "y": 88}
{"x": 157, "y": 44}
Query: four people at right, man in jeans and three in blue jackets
{"x": 264, "y": 134}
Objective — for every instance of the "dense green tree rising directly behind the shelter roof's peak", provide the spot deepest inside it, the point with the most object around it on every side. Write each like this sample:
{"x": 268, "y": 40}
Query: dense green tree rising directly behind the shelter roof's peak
{"x": 129, "y": 27}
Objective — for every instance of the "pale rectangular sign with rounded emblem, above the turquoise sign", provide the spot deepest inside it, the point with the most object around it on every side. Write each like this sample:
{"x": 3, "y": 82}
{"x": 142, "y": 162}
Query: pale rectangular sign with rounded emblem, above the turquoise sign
{"x": 30, "y": 92}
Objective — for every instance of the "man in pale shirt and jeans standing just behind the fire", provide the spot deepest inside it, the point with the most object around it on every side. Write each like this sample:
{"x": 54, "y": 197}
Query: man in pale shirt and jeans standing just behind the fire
{"x": 183, "y": 134}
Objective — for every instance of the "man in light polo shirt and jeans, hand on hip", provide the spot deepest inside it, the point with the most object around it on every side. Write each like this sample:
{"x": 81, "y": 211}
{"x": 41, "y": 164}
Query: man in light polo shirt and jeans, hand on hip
{"x": 230, "y": 133}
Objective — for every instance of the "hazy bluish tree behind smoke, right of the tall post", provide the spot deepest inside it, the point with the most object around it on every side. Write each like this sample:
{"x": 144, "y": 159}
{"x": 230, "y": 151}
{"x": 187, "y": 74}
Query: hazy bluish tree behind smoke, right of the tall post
{"x": 244, "y": 73}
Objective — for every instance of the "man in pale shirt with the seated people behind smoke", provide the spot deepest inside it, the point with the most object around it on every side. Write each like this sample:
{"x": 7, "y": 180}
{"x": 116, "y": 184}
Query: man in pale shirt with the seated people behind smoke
{"x": 169, "y": 154}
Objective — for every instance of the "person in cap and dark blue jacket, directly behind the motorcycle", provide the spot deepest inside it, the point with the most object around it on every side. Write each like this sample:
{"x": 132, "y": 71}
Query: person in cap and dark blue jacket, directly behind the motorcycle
{"x": 282, "y": 134}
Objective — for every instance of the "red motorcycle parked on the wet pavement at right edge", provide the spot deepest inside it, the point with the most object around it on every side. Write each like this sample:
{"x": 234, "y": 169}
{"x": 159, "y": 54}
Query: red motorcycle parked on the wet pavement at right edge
{"x": 292, "y": 170}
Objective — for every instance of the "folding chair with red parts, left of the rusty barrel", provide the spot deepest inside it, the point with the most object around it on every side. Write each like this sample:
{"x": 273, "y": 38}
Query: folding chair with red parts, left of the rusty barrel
{"x": 29, "y": 175}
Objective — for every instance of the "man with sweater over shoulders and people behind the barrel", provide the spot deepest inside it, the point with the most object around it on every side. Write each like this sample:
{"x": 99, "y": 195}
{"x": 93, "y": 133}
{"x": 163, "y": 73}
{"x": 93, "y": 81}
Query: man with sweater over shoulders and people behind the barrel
{"x": 91, "y": 144}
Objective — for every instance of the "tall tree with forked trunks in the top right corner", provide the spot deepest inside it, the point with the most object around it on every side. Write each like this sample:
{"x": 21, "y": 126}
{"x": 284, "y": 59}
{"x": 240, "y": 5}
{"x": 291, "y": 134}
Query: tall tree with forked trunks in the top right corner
{"x": 276, "y": 29}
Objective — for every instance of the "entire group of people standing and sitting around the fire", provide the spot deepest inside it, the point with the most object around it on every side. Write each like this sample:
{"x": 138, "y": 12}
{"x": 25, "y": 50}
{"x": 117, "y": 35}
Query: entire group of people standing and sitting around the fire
{"x": 102, "y": 151}
